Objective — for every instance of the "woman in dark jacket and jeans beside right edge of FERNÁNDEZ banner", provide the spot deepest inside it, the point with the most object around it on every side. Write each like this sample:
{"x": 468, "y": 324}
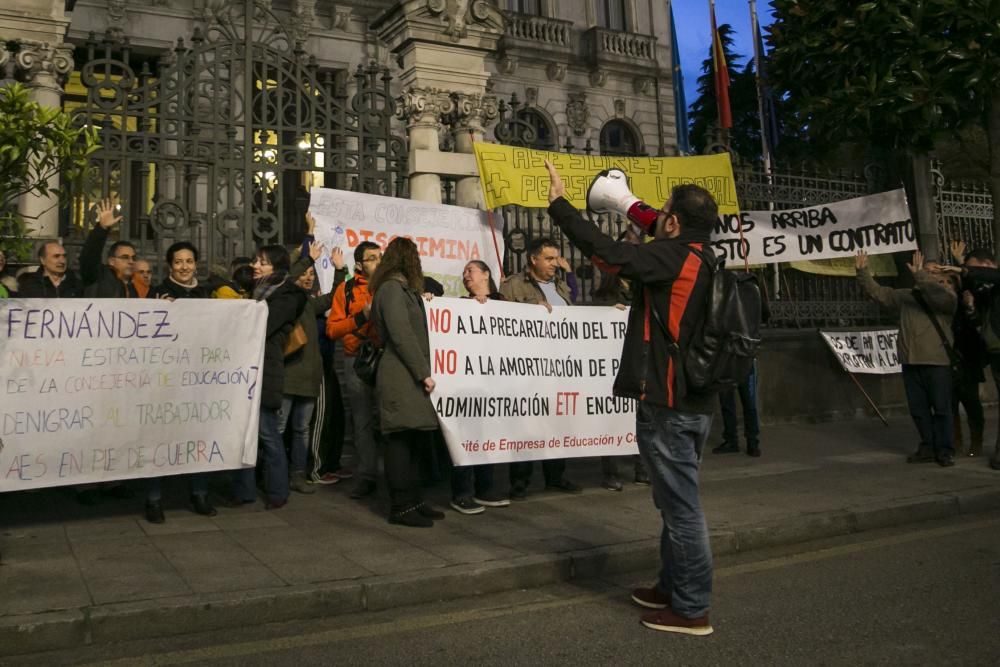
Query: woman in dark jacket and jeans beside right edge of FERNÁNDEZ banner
{"x": 285, "y": 302}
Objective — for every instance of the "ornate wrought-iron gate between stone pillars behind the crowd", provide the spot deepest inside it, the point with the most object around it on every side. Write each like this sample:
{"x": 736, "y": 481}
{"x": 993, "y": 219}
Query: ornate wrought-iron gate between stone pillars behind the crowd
{"x": 218, "y": 141}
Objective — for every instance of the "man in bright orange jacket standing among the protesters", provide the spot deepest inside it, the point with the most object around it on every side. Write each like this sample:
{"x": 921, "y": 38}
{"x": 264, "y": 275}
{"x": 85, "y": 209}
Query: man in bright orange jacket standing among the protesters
{"x": 350, "y": 320}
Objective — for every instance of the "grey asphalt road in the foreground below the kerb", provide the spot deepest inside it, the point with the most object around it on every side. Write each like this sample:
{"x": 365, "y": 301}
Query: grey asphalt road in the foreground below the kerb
{"x": 927, "y": 594}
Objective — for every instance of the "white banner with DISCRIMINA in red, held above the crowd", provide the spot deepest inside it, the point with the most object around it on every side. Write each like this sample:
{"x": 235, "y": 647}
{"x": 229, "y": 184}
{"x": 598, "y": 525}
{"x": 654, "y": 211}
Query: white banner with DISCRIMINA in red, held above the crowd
{"x": 446, "y": 236}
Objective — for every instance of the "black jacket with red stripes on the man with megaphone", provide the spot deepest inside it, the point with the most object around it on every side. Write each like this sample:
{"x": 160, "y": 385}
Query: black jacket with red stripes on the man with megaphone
{"x": 666, "y": 277}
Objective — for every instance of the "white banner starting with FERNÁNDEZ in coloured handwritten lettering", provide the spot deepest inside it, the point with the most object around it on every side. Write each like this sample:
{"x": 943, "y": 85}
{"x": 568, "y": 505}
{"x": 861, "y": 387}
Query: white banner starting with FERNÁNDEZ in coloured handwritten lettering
{"x": 122, "y": 388}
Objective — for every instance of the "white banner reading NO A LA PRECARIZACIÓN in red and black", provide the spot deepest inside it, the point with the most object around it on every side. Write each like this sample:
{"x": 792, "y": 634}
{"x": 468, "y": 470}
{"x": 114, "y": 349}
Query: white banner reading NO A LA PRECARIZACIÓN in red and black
{"x": 517, "y": 383}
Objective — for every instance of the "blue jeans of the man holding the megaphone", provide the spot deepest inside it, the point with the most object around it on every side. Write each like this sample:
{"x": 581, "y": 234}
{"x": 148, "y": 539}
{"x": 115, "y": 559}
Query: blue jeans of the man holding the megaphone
{"x": 671, "y": 445}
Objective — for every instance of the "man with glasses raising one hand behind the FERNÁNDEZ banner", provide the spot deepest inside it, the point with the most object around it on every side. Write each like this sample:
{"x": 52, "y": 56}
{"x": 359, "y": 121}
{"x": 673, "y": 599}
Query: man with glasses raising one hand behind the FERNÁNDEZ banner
{"x": 114, "y": 279}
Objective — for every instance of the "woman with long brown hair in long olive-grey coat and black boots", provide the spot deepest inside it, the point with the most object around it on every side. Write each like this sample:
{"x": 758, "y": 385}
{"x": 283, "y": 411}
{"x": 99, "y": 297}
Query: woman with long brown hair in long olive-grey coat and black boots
{"x": 403, "y": 383}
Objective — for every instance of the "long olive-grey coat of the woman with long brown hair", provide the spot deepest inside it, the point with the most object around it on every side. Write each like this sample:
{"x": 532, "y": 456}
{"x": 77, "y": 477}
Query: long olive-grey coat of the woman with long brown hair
{"x": 398, "y": 315}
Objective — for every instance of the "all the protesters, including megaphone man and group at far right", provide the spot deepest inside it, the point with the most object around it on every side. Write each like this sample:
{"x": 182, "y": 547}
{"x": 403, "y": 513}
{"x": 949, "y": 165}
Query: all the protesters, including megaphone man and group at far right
{"x": 949, "y": 331}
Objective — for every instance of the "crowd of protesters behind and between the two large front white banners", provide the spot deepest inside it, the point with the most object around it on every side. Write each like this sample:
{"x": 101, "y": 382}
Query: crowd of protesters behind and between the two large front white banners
{"x": 302, "y": 424}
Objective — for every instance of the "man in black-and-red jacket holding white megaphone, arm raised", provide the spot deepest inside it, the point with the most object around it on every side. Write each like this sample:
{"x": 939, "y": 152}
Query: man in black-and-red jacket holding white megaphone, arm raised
{"x": 671, "y": 276}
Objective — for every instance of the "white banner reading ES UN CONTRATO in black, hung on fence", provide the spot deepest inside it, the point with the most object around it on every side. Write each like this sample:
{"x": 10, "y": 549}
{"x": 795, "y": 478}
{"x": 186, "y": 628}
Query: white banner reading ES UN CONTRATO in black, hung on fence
{"x": 876, "y": 224}
